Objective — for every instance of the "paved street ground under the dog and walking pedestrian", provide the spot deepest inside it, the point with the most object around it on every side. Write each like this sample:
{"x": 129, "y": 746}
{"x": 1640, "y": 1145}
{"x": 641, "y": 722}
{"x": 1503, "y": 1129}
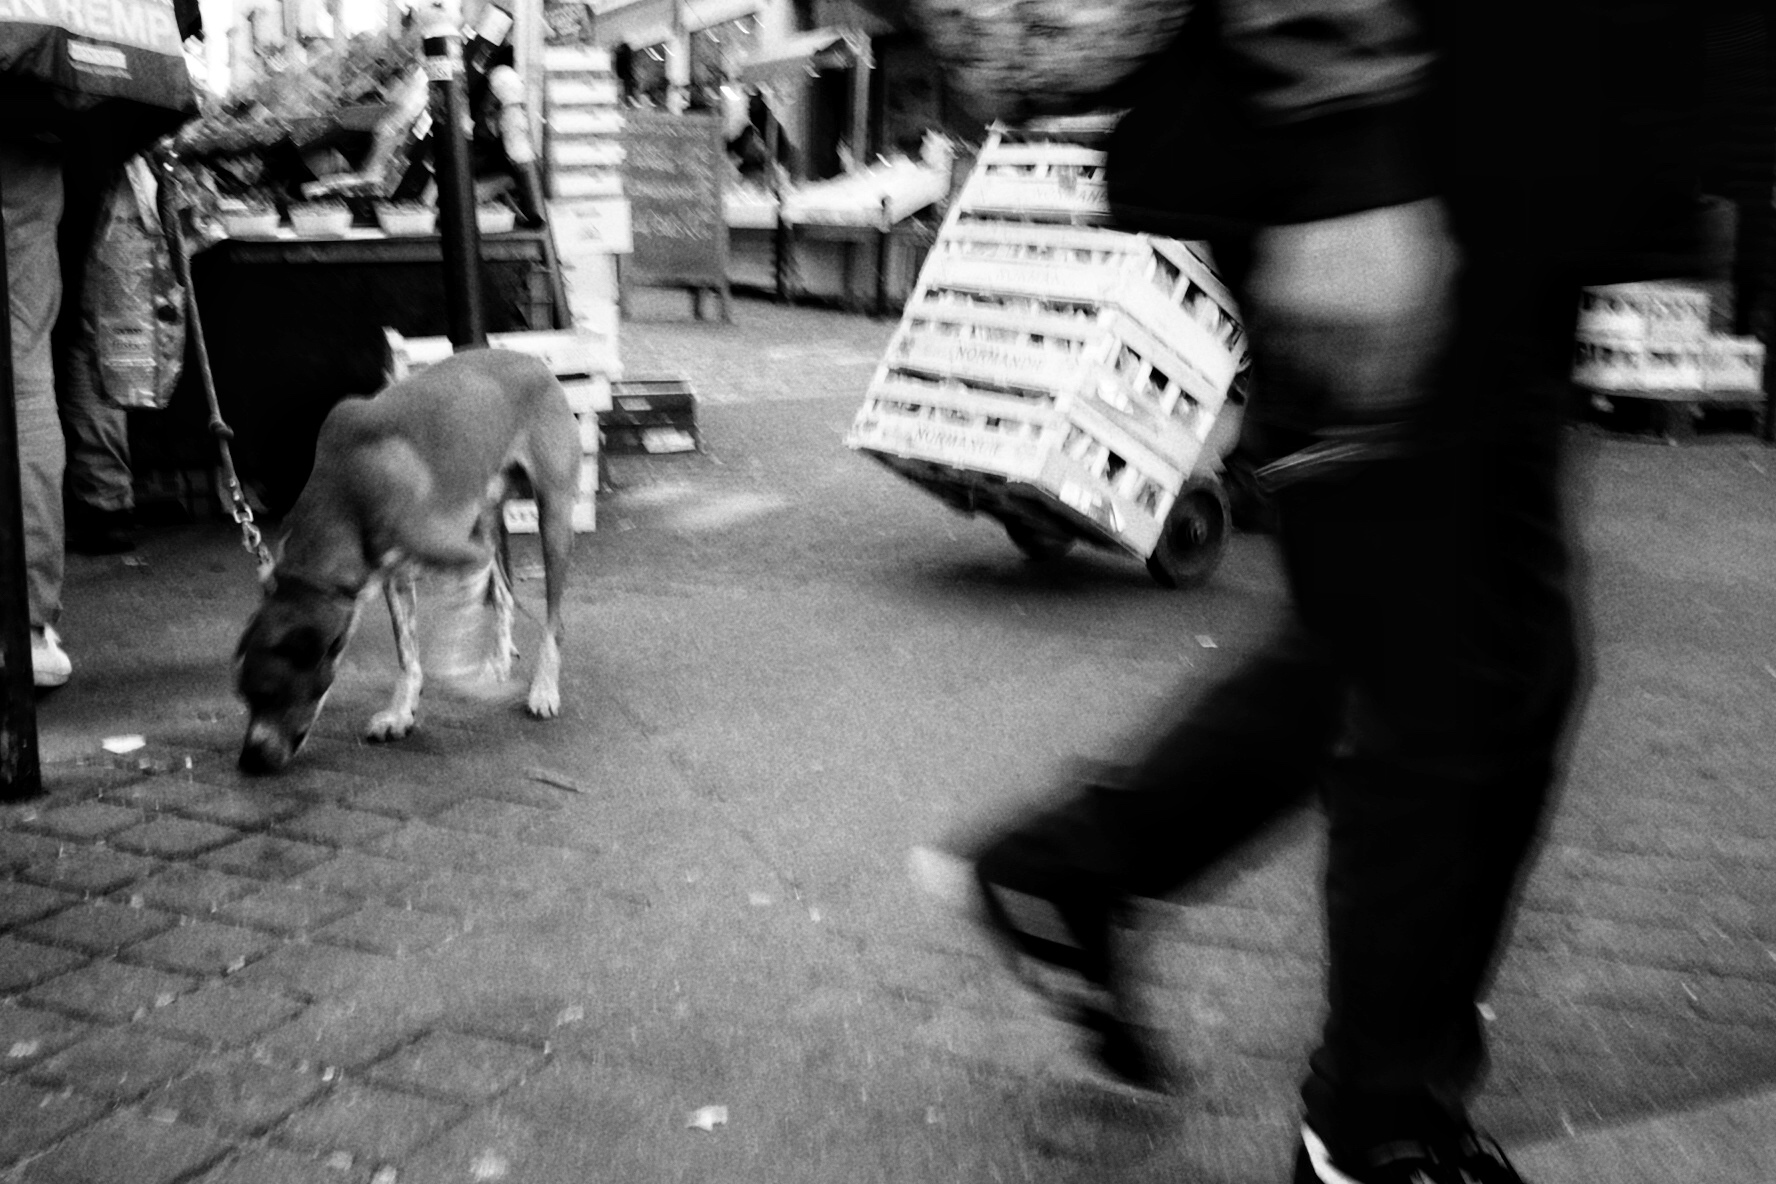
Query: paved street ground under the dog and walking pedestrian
{"x": 532, "y": 952}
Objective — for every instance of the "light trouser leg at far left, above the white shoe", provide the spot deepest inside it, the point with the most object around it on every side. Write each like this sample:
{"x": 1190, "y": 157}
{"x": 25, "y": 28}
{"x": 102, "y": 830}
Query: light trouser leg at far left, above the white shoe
{"x": 31, "y": 187}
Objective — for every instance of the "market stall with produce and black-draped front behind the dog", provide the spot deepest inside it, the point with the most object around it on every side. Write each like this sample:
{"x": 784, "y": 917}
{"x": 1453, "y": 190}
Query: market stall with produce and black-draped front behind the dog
{"x": 317, "y": 210}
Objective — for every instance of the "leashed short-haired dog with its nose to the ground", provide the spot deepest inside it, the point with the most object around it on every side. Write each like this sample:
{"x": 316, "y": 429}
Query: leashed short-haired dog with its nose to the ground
{"x": 409, "y": 482}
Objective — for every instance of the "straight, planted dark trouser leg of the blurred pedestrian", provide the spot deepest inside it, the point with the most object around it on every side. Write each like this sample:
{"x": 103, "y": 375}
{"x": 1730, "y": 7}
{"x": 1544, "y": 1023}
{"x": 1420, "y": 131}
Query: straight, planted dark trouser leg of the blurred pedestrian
{"x": 1441, "y": 583}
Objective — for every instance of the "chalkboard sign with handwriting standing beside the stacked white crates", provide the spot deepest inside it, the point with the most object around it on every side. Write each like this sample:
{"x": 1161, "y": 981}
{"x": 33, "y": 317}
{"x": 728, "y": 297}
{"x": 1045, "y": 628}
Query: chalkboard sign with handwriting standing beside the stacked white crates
{"x": 672, "y": 178}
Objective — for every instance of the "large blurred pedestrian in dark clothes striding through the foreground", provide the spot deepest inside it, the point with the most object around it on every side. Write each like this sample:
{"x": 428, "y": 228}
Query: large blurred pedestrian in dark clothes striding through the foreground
{"x": 1406, "y": 198}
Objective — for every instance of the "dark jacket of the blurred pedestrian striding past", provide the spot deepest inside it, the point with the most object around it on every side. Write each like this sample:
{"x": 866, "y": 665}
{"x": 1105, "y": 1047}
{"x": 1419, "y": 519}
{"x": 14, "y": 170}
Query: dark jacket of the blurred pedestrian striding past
{"x": 1569, "y": 125}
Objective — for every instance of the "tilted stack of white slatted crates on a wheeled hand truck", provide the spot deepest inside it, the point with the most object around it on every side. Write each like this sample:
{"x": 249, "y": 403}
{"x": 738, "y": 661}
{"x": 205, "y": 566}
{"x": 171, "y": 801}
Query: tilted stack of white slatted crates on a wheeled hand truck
{"x": 1070, "y": 381}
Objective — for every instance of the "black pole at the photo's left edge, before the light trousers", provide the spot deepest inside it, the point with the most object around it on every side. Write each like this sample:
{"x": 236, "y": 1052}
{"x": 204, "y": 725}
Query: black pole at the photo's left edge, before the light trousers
{"x": 20, "y": 773}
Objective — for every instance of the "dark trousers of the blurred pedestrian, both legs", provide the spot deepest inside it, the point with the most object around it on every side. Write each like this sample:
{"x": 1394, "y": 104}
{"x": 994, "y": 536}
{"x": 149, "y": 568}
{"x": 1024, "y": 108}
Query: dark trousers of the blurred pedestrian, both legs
{"x": 1422, "y": 690}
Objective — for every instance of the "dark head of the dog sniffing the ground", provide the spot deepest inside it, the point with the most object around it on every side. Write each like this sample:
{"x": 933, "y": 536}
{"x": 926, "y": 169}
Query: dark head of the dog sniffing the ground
{"x": 285, "y": 667}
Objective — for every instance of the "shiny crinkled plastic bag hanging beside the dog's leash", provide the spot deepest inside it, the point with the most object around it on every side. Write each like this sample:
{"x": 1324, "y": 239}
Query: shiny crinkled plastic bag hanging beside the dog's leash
{"x": 134, "y": 303}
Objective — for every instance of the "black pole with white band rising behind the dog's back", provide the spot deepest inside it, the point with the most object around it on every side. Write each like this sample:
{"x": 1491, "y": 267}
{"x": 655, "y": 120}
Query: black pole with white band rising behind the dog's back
{"x": 450, "y": 168}
